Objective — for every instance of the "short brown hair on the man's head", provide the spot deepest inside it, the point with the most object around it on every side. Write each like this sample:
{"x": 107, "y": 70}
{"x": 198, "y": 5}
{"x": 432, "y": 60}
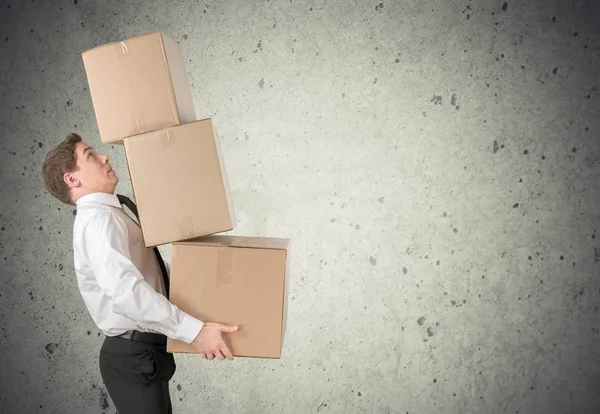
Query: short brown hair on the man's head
{"x": 59, "y": 161}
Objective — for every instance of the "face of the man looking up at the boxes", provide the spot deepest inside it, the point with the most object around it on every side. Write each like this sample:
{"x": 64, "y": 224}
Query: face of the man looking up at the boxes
{"x": 94, "y": 173}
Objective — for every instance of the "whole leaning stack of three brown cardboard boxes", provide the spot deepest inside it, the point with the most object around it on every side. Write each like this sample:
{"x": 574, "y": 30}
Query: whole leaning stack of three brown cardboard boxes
{"x": 142, "y": 99}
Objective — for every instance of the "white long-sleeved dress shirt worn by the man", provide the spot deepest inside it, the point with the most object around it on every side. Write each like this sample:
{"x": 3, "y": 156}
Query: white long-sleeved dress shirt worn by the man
{"x": 119, "y": 277}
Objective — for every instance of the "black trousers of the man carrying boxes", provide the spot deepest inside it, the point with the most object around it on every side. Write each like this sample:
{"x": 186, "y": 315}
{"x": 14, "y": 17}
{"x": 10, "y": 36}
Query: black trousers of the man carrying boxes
{"x": 136, "y": 375}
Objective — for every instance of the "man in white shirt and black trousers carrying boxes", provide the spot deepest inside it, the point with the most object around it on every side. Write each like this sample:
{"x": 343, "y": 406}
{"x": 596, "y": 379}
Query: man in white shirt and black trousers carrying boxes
{"x": 122, "y": 285}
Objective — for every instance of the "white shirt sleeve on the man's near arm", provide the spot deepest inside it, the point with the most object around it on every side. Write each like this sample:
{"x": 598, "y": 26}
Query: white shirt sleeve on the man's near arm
{"x": 107, "y": 240}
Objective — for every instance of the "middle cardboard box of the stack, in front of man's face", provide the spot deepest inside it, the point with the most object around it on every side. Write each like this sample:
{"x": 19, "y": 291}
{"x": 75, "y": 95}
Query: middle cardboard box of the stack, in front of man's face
{"x": 180, "y": 183}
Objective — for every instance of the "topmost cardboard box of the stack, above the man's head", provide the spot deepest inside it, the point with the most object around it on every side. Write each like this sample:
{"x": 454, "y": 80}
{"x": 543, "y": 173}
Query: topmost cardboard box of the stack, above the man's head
{"x": 138, "y": 85}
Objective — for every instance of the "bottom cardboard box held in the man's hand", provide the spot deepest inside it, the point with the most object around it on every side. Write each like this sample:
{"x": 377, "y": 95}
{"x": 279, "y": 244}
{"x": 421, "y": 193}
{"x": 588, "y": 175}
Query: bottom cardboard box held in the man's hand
{"x": 235, "y": 281}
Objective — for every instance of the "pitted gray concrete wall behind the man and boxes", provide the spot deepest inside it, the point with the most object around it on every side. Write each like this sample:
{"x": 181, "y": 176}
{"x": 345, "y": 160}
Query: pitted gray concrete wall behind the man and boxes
{"x": 436, "y": 164}
